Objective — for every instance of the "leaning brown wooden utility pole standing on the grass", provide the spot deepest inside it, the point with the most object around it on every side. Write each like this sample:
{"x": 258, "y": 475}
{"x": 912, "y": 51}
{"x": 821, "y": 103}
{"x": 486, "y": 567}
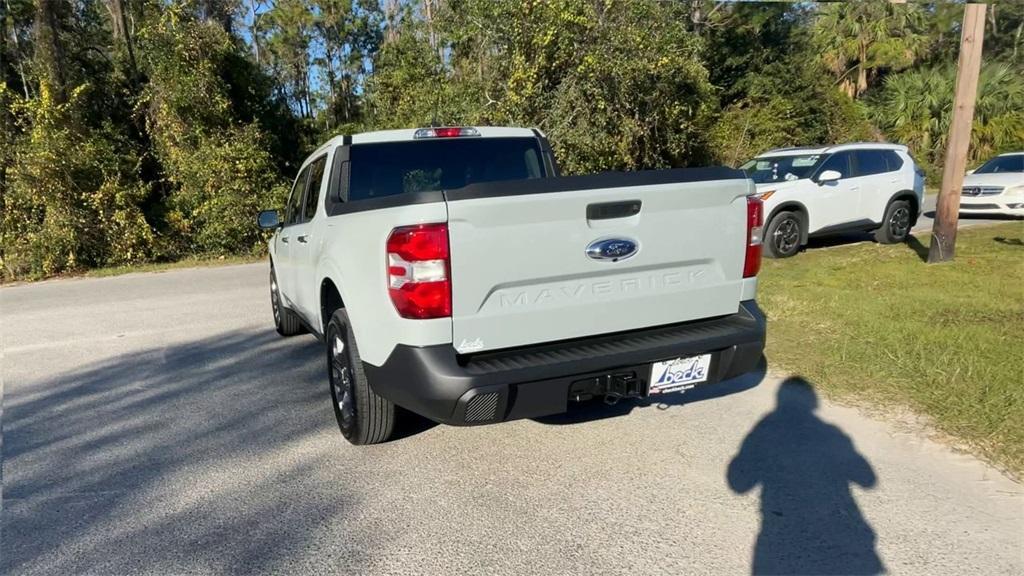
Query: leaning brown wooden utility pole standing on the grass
{"x": 948, "y": 209}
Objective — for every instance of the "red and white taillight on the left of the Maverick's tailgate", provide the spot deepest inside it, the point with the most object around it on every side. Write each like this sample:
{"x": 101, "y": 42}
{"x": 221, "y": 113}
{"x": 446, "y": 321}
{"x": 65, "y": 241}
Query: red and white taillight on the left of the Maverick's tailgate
{"x": 418, "y": 271}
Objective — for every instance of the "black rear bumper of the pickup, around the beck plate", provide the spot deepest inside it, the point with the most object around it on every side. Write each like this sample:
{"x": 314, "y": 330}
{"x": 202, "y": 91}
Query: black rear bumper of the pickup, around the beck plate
{"x": 533, "y": 382}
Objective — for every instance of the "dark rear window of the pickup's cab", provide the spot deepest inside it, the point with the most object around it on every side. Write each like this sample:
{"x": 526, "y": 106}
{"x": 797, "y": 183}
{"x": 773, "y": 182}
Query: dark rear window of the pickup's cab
{"x": 390, "y": 169}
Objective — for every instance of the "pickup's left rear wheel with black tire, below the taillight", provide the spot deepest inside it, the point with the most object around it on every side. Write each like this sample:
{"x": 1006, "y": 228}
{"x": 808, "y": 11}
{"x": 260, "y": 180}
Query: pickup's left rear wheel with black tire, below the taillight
{"x": 363, "y": 417}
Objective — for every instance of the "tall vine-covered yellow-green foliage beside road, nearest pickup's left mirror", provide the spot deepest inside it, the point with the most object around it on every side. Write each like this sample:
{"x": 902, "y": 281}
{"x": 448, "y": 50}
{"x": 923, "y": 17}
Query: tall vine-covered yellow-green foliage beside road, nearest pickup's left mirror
{"x": 220, "y": 169}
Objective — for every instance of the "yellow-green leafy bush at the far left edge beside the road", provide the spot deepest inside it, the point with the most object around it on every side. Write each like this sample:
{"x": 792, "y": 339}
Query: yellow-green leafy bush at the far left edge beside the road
{"x": 72, "y": 198}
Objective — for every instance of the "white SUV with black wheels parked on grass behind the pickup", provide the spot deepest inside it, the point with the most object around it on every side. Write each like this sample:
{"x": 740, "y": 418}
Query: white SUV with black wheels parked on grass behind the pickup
{"x": 822, "y": 191}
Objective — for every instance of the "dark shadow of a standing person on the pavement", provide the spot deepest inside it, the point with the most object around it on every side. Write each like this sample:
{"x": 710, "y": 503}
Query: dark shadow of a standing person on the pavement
{"x": 810, "y": 523}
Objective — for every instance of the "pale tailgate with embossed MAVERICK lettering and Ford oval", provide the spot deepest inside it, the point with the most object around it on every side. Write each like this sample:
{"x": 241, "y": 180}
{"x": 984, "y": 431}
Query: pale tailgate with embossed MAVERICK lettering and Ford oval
{"x": 522, "y": 274}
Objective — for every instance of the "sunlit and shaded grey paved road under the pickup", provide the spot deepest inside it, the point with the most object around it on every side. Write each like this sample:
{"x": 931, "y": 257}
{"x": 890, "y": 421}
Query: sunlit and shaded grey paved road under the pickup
{"x": 156, "y": 424}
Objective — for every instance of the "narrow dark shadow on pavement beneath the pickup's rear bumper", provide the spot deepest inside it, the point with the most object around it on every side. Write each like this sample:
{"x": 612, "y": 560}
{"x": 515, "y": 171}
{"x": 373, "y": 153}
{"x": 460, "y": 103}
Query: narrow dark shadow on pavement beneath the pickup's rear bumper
{"x": 599, "y": 410}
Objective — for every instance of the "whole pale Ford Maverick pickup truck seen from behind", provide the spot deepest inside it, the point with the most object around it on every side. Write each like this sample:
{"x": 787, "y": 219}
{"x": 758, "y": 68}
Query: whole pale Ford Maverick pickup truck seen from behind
{"x": 452, "y": 272}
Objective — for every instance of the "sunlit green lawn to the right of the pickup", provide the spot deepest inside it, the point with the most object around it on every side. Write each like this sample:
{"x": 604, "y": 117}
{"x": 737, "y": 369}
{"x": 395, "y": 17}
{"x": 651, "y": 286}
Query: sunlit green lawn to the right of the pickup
{"x": 875, "y": 324}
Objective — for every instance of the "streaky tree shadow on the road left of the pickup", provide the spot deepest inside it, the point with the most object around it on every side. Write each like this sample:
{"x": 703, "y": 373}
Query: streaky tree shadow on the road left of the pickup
{"x": 193, "y": 458}
